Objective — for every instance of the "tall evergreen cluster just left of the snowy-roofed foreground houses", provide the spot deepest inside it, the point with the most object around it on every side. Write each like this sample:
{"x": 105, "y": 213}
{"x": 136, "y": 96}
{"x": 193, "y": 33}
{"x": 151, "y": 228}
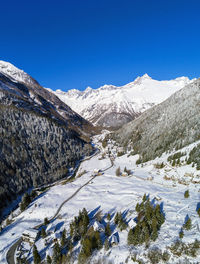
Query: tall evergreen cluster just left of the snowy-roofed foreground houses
{"x": 79, "y": 226}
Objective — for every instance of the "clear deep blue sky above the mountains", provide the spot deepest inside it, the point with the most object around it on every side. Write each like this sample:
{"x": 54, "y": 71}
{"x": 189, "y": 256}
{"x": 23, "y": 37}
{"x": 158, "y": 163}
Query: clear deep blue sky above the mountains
{"x": 80, "y": 43}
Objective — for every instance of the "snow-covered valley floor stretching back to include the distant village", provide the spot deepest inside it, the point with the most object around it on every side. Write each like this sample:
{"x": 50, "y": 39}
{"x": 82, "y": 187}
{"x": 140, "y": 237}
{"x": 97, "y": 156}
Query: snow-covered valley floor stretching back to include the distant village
{"x": 108, "y": 193}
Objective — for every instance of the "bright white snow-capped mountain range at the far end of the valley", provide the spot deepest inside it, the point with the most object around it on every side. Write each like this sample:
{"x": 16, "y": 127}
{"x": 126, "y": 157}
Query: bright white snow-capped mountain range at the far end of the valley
{"x": 113, "y": 106}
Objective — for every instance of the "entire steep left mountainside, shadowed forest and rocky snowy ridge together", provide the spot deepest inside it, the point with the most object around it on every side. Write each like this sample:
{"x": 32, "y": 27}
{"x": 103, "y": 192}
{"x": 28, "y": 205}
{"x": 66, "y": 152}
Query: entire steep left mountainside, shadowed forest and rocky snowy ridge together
{"x": 38, "y": 135}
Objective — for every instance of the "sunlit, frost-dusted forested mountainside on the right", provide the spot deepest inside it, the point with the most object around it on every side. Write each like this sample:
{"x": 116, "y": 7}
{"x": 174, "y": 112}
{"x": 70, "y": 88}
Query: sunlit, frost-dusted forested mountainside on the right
{"x": 172, "y": 124}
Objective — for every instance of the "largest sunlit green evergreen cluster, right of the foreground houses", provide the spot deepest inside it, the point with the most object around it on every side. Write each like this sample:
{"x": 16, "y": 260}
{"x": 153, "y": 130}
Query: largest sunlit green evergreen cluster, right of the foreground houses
{"x": 149, "y": 220}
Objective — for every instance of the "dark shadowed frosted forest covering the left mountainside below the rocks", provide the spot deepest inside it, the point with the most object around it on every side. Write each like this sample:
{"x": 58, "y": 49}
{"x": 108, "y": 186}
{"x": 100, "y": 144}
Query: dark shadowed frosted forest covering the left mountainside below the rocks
{"x": 36, "y": 149}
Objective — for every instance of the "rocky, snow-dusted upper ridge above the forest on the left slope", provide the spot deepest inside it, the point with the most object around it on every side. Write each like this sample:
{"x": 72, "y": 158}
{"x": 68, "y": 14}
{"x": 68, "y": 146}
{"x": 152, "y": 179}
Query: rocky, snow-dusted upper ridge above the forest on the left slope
{"x": 21, "y": 84}
